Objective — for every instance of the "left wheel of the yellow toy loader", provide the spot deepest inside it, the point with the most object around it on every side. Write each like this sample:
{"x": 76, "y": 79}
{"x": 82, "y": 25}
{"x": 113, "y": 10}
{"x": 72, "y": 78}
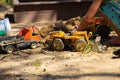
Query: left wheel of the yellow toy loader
{"x": 58, "y": 44}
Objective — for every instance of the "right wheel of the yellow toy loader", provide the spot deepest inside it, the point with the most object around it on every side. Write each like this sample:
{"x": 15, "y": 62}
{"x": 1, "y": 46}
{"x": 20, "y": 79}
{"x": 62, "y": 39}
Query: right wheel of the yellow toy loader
{"x": 80, "y": 45}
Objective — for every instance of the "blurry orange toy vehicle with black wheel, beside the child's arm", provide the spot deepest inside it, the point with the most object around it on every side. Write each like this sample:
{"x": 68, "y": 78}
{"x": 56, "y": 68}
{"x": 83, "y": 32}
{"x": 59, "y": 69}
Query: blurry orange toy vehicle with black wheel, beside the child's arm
{"x": 99, "y": 26}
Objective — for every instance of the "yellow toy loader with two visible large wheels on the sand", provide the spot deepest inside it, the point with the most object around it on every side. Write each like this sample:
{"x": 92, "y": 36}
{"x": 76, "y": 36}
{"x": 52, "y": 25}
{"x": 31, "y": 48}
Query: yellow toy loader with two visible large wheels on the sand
{"x": 59, "y": 40}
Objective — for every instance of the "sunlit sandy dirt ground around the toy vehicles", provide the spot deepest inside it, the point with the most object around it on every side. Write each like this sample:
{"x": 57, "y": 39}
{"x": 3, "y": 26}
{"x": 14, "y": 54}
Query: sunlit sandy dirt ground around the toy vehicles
{"x": 45, "y": 64}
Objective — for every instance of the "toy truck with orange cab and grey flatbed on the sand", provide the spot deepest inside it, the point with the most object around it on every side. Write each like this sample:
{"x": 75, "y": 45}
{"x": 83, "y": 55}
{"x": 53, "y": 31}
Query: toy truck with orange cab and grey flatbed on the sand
{"x": 28, "y": 36}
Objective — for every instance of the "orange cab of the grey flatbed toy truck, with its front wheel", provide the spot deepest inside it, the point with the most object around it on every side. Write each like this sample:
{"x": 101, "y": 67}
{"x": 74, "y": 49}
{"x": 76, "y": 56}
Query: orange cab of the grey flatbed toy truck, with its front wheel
{"x": 31, "y": 36}
